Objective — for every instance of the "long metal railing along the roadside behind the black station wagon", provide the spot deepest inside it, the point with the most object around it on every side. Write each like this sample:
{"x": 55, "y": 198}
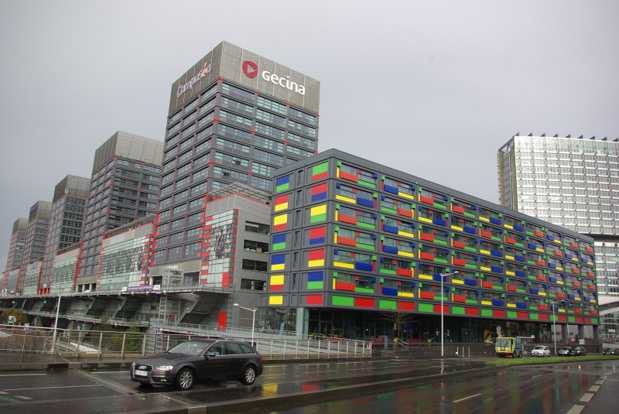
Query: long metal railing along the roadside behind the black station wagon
{"x": 78, "y": 344}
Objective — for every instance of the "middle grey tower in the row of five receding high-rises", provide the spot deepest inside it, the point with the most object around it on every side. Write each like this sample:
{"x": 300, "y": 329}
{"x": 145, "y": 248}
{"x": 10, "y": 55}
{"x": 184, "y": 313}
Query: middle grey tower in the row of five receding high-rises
{"x": 65, "y": 227}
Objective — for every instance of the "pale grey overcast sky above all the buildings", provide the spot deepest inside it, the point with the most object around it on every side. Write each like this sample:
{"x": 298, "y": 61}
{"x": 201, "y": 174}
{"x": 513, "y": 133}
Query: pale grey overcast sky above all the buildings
{"x": 432, "y": 88}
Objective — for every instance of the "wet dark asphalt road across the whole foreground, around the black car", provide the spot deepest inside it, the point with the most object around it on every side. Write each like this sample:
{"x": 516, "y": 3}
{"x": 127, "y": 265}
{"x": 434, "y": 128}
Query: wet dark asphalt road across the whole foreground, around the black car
{"x": 373, "y": 386}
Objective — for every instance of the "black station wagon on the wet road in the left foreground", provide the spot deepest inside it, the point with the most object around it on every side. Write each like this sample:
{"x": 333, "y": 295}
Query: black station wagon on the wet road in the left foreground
{"x": 199, "y": 360}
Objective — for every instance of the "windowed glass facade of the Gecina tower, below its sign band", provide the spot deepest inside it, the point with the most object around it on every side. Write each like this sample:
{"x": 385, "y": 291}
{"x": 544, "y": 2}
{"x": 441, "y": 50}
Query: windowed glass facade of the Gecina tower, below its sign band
{"x": 224, "y": 133}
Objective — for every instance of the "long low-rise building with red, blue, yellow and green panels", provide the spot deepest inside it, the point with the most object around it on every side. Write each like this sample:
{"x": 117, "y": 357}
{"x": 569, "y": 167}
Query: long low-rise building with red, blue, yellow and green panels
{"x": 355, "y": 243}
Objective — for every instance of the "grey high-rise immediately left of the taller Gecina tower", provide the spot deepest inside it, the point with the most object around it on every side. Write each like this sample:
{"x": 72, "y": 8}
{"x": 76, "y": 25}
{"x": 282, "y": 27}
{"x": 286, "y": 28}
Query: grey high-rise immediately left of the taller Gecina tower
{"x": 123, "y": 187}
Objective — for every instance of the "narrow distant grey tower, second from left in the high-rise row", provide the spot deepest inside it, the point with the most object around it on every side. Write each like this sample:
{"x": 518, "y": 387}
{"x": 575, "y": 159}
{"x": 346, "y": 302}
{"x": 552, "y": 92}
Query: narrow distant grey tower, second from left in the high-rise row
{"x": 34, "y": 245}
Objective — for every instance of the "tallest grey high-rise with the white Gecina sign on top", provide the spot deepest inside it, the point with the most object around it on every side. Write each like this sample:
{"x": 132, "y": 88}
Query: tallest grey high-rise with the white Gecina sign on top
{"x": 234, "y": 117}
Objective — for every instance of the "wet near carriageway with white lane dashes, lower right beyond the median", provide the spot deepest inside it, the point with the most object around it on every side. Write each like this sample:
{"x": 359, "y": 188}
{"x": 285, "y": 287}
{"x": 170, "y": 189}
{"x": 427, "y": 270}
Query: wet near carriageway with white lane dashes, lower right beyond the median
{"x": 534, "y": 389}
